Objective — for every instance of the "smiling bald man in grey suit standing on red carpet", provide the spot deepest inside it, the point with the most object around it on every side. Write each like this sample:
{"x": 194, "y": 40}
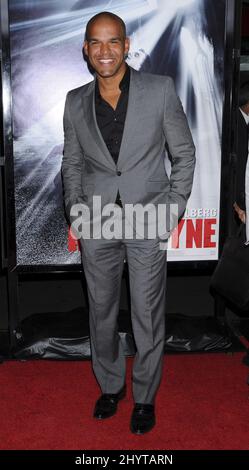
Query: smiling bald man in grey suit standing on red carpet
{"x": 116, "y": 130}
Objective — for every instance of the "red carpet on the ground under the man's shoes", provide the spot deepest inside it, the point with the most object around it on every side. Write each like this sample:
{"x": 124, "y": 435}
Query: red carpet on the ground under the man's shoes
{"x": 202, "y": 404}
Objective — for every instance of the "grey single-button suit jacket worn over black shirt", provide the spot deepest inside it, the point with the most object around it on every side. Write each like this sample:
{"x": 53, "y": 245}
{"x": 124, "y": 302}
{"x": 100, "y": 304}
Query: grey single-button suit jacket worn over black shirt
{"x": 154, "y": 118}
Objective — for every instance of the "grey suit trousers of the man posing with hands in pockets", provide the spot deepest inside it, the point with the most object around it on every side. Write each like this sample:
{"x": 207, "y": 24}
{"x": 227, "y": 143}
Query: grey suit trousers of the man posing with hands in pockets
{"x": 103, "y": 262}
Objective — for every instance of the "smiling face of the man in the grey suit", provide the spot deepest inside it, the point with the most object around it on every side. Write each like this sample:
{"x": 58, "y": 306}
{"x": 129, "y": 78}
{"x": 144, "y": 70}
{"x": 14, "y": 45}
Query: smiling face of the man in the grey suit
{"x": 106, "y": 47}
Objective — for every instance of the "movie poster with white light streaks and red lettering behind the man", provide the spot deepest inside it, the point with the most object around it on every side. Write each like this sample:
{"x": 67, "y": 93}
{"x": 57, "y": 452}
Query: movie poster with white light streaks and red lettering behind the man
{"x": 180, "y": 38}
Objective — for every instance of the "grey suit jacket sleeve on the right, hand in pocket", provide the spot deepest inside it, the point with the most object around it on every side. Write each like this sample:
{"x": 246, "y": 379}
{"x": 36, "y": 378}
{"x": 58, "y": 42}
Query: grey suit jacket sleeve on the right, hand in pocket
{"x": 181, "y": 147}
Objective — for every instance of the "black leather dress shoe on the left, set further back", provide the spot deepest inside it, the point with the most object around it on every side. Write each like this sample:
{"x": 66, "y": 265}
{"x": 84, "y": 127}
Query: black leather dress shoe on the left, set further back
{"x": 107, "y": 404}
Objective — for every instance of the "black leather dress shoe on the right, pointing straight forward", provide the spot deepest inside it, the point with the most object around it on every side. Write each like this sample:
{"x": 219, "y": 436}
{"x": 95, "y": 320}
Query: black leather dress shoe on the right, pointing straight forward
{"x": 143, "y": 418}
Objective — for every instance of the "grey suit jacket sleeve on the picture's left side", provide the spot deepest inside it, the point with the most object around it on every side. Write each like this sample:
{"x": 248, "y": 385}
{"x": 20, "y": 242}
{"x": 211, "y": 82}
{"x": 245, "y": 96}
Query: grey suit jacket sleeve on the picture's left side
{"x": 72, "y": 162}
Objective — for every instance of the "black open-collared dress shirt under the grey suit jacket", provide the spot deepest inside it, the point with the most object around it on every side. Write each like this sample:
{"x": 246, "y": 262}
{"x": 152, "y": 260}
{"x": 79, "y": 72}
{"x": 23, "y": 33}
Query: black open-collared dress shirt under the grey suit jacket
{"x": 111, "y": 122}
